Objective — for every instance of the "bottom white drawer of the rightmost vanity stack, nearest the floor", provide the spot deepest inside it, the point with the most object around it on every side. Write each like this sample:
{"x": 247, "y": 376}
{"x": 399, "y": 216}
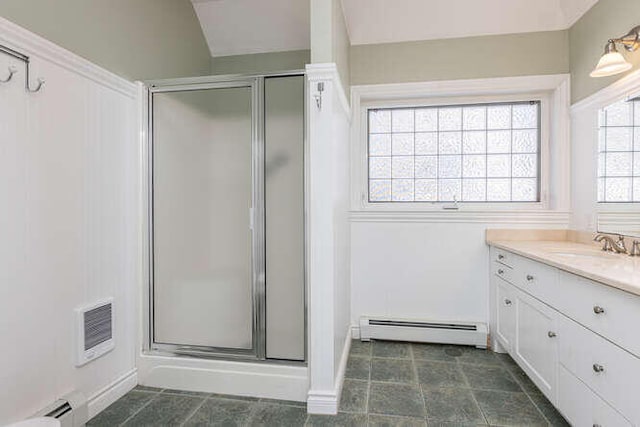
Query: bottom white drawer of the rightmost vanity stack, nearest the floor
{"x": 582, "y": 407}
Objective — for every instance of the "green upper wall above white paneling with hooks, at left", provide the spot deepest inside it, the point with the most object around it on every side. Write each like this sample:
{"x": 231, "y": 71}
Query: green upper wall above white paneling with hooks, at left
{"x": 137, "y": 39}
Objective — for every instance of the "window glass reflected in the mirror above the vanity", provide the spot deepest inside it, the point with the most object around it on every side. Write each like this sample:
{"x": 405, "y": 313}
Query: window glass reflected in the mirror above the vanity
{"x": 619, "y": 153}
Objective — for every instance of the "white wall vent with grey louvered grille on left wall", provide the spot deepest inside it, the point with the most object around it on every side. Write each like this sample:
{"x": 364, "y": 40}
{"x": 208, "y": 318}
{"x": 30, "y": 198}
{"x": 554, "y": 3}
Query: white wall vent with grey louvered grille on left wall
{"x": 95, "y": 331}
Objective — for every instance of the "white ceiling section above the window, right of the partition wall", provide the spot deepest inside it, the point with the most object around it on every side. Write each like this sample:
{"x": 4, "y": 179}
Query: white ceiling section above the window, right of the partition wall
{"x": 385, "y": 21}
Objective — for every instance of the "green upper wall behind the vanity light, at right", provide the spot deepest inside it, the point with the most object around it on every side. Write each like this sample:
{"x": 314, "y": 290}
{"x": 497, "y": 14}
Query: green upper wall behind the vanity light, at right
{"x": 587, "y": 38}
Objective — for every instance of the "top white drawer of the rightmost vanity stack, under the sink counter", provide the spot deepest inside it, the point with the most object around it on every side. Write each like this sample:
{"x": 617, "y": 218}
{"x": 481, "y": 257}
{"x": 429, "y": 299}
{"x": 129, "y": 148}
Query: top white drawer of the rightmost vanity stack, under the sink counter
{"x": 612, "y": 313}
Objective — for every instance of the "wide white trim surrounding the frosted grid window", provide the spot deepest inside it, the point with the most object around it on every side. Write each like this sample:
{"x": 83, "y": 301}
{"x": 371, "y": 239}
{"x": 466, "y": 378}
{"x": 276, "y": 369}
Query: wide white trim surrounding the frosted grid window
{"x": 551, "y": 90}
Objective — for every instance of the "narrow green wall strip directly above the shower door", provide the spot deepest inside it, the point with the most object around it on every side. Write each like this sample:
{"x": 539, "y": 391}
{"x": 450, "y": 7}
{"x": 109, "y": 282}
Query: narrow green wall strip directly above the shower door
{"x": 260, "y": 62}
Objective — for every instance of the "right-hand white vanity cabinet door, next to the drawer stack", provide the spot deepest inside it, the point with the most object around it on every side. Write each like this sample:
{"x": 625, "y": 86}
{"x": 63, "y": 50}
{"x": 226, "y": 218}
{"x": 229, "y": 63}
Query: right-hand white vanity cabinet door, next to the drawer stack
{"x": 535, "y": 346}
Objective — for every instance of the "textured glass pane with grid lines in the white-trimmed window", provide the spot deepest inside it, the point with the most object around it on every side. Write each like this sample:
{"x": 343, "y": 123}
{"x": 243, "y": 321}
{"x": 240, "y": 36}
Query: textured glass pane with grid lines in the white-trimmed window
{"x": 467, "y": 153}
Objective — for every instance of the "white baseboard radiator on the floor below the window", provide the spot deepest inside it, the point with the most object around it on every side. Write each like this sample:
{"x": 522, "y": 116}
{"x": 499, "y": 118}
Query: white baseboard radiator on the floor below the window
{"x": 427, "y": 331}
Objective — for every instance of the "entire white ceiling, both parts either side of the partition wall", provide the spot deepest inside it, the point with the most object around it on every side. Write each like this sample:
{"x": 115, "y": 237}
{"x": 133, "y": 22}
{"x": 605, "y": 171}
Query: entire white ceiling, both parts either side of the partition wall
{"x": 235, "y": 27}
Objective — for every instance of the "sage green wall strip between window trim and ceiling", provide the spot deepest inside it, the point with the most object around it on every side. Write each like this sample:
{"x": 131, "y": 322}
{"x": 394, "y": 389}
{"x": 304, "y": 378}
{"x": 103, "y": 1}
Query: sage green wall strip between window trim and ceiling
{"x": 462, "y": 58}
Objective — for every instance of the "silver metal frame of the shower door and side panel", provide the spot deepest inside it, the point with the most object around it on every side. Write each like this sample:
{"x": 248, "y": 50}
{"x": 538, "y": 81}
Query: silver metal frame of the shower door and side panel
{"x": 258, "y": 262}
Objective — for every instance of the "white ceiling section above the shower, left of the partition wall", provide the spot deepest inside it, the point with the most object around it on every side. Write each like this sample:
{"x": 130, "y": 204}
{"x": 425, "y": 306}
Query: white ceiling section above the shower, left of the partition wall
{"x": 236, "y": 27}
